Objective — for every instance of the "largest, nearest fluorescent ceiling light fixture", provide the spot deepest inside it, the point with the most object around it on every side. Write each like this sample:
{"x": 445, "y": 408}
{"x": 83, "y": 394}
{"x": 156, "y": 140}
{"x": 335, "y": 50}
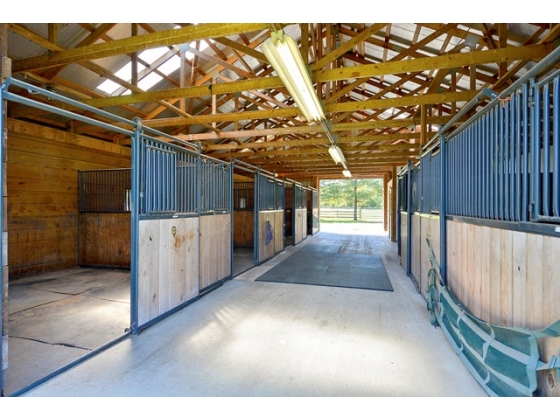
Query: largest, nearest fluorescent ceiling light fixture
{"x": 283, "y": 54}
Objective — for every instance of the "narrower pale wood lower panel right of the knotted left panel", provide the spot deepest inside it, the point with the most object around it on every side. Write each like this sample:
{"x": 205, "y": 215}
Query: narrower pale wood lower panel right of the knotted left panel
{"x": 215, "y": 249}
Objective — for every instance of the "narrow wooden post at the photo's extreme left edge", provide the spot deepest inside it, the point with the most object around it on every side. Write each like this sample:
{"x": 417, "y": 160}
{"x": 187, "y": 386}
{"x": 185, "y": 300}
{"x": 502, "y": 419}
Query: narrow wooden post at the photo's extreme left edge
{"x": 6, "y": 71}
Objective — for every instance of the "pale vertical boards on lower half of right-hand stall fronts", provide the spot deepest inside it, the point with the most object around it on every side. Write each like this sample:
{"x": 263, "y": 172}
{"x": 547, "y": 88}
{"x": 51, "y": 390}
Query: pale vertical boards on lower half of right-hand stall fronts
{"x": 504, "y": 277}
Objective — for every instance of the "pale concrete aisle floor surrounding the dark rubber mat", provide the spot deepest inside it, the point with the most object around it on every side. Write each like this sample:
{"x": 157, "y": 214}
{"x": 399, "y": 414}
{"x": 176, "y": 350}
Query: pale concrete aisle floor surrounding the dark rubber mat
{"x": 249, "y": 339}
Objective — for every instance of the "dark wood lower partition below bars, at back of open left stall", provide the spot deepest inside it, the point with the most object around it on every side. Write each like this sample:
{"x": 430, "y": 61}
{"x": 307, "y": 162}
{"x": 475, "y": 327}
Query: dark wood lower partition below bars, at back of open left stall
{"x": 105, "y": 239}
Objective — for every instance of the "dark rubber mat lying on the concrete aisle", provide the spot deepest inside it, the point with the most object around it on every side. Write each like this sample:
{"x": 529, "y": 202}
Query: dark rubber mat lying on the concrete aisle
{"x": 327, "y": 268}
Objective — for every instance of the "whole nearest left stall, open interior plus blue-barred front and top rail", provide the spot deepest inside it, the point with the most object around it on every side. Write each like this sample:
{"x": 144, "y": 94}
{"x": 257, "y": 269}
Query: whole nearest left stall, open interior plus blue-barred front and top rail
{"x": 97, "y": 252}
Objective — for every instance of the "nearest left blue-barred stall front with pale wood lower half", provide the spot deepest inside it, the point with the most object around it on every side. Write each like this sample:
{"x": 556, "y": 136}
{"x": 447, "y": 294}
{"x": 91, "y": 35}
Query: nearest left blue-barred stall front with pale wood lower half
{"x": 183, "y": 227}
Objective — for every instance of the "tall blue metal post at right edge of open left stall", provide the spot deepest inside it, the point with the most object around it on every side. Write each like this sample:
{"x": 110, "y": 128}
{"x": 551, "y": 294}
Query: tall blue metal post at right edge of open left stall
{"x": 135, "y": 226}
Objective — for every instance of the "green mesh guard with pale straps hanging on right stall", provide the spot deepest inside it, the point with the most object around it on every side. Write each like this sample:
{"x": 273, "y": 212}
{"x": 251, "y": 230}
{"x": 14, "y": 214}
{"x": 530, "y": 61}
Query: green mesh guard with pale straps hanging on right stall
{"x": 503, "y": 360}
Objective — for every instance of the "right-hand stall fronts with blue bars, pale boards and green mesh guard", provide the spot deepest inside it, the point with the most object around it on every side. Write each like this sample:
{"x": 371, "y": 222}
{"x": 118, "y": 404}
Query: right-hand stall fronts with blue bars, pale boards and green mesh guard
{"x": 479, "y": 234}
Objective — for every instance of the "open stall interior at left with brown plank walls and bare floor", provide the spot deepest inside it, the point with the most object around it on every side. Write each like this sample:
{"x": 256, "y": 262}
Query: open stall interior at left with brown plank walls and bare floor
{"x": 69, "y": 250}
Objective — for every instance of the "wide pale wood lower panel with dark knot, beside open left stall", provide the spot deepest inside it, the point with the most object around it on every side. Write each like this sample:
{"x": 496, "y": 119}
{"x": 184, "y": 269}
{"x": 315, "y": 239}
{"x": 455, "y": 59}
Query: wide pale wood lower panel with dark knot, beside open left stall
{"x": 168, "y": 265}
